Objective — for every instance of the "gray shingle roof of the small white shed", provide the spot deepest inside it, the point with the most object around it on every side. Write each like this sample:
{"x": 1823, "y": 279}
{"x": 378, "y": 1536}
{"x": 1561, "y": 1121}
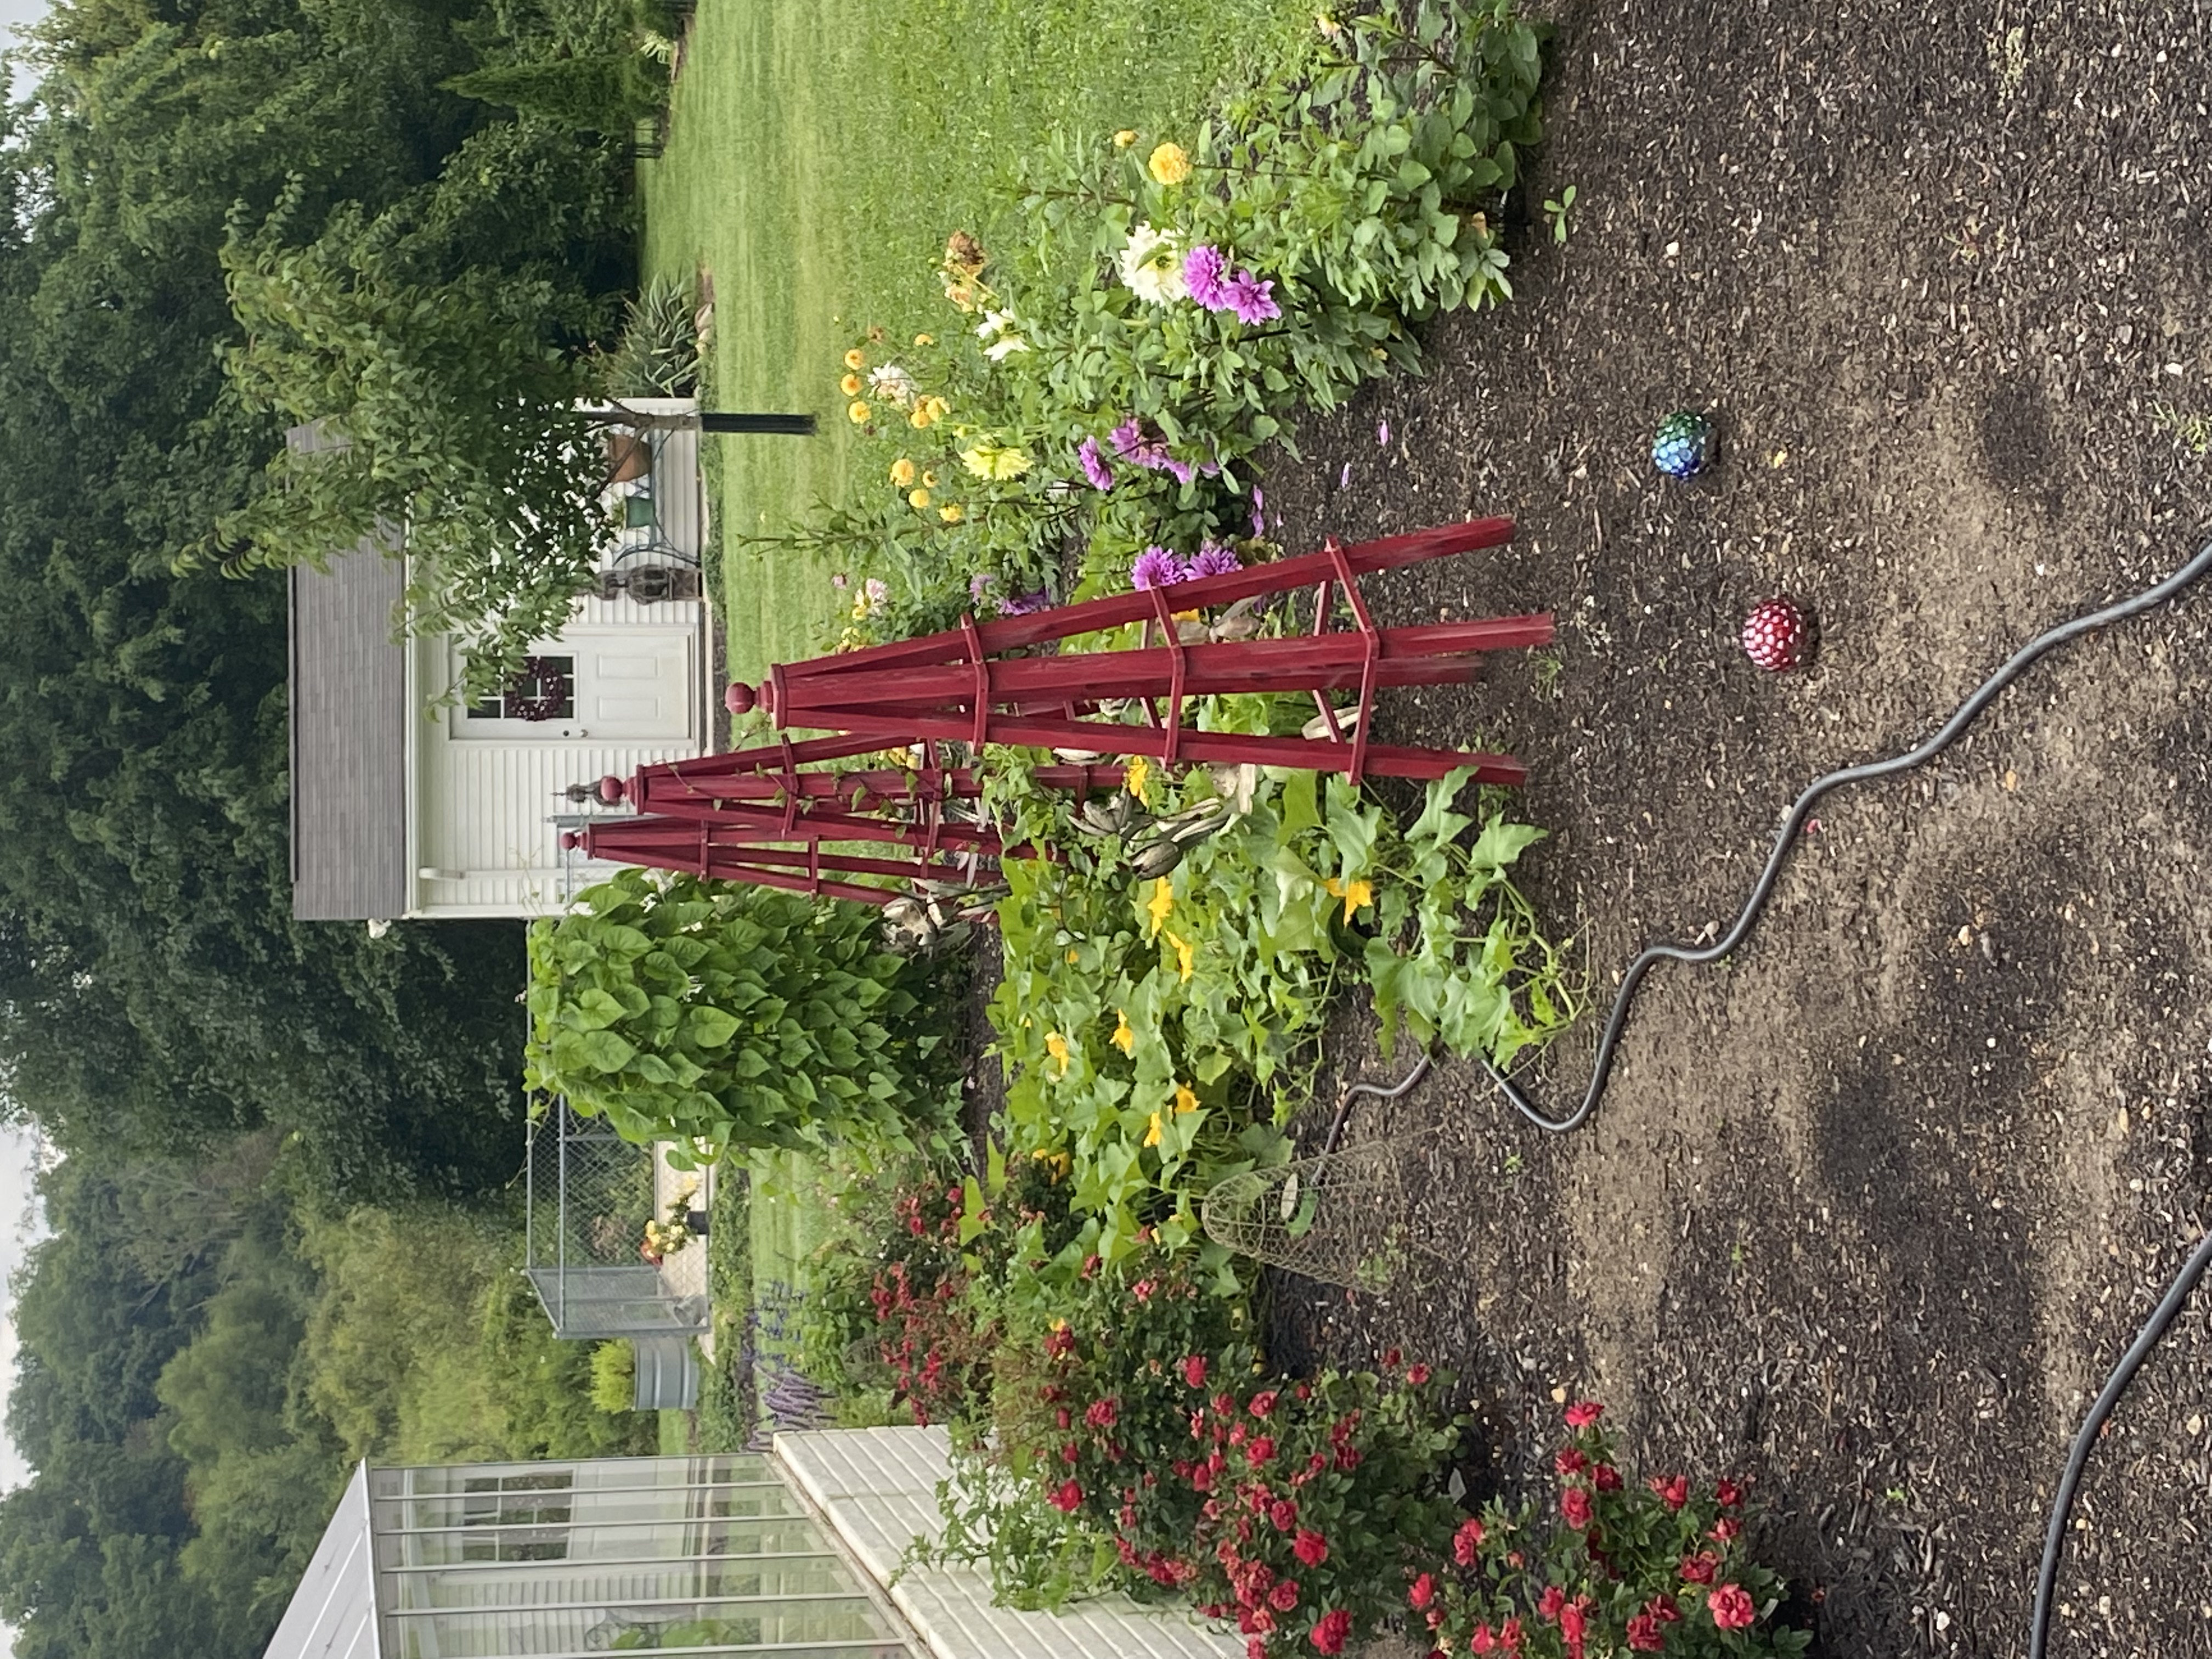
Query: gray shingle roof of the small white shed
{"x": 348, "y": 742}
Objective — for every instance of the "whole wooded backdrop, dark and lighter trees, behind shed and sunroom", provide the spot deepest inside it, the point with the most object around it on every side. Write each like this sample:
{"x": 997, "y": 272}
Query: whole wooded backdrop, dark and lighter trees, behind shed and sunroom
{"x": 207, "y": 1342}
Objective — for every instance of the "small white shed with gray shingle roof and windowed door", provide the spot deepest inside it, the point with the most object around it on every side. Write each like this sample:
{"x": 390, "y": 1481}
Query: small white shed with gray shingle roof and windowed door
{"x": 404, "y": 811}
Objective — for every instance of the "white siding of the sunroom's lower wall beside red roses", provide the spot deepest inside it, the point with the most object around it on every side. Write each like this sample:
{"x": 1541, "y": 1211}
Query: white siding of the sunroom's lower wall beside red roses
{"x": 879, "y": 1488}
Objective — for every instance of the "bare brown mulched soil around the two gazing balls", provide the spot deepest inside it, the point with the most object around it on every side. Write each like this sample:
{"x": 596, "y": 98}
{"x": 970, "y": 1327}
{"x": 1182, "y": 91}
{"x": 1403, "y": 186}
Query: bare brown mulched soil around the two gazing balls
{"x": 1868, "y": 1211}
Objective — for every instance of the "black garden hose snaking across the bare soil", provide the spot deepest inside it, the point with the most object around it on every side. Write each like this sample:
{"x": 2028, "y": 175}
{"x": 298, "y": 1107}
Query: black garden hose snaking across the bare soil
{"x": 1755, "y": 906}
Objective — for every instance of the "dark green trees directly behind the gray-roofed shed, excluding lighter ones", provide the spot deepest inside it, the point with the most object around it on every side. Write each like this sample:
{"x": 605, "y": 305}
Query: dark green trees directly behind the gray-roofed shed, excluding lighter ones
{"x": 154, "y": 988}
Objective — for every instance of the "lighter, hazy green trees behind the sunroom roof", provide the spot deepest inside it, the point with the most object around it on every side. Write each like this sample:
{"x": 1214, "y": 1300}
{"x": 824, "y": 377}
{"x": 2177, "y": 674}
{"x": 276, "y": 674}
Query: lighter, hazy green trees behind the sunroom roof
{"x": 205, "y": 1361}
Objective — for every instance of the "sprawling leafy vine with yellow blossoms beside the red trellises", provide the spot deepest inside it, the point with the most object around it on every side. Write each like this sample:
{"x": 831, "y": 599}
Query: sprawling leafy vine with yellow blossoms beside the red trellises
{"x": 1158, "y": 1030}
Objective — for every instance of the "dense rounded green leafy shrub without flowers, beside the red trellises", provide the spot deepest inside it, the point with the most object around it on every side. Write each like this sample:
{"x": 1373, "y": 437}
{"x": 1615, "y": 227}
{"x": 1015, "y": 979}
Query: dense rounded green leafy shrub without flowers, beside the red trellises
{"x": 729, "y": 1016}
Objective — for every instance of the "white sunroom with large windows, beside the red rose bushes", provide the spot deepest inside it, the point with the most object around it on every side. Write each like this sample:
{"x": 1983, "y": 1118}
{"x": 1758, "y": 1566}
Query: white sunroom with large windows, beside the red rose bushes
{"x": 782, "y": 1554}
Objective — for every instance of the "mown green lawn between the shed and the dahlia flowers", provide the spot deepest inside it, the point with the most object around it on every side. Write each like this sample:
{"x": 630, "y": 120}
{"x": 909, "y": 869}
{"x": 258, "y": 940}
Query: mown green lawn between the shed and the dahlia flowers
{"x": 820, "y": 156}
